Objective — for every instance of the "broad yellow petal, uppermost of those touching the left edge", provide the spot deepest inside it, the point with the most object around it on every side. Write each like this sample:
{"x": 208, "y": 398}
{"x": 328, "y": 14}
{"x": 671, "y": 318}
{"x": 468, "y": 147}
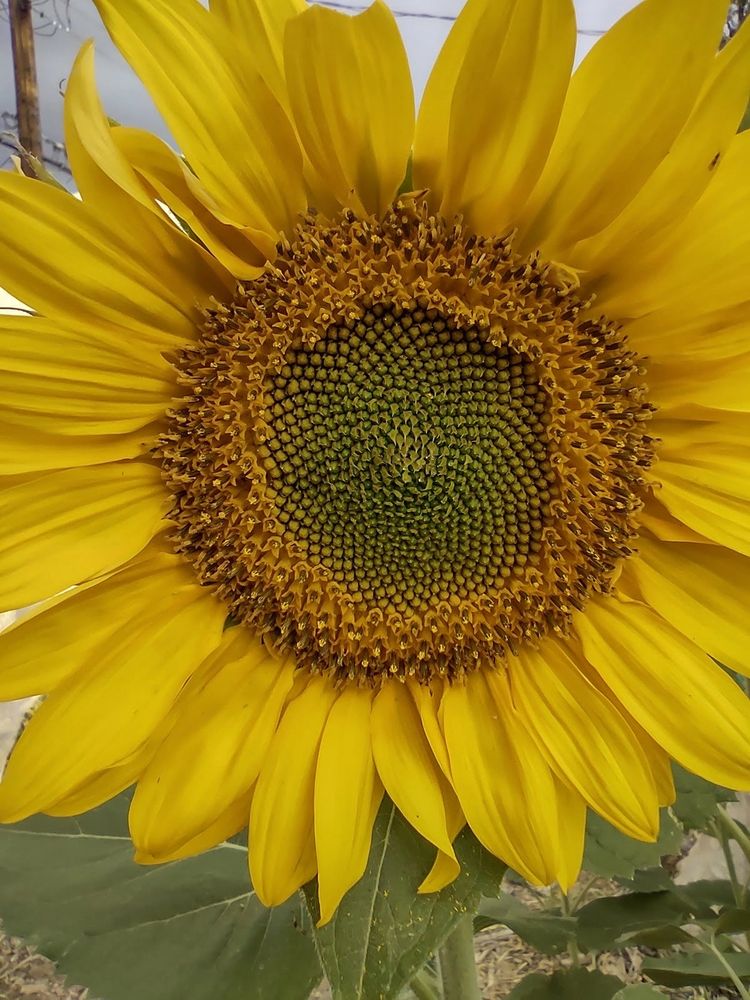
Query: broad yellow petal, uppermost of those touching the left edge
{"x": 62, "y": 258}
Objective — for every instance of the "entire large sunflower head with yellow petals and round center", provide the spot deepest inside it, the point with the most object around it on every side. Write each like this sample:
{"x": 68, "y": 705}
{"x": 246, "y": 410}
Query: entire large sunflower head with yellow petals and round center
{"x": 353, "y": 452}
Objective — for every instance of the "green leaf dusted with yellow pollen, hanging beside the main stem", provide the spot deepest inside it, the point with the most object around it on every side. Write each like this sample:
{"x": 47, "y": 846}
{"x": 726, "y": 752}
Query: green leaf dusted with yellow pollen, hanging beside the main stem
{"x": 383, "y": 932}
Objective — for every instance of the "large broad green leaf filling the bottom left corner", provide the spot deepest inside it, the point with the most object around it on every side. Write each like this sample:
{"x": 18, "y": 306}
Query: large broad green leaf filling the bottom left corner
{"x": 192, "y": 928}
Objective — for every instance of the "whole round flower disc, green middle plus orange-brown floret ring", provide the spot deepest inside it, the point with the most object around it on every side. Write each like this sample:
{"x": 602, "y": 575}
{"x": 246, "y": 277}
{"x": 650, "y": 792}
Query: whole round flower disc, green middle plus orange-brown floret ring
{"x": 404, "y": 449}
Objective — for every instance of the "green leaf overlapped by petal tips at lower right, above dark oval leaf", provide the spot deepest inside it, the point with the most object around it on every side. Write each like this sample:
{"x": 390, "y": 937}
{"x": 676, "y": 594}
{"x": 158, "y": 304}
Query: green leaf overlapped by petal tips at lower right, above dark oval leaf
{"x": 610, "y": 853}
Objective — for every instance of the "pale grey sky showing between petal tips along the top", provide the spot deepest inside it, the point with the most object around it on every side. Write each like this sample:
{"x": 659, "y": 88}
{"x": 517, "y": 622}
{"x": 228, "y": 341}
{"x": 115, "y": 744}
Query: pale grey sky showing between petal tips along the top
{"x": 59, "y": 37}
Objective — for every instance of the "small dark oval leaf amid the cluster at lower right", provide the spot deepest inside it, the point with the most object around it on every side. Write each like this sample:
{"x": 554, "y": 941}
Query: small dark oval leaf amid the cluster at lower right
{"x": 605, "y": 922}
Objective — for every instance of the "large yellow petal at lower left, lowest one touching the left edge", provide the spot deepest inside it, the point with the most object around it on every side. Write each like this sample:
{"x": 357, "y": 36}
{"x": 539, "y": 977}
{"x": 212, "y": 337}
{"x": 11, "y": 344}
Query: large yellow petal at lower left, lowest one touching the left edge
{"x": 98, "y": 717}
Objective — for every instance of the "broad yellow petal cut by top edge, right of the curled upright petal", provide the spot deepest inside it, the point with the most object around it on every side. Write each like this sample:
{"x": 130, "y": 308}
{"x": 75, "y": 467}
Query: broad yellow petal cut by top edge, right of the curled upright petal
{"x": 229, "y": 125}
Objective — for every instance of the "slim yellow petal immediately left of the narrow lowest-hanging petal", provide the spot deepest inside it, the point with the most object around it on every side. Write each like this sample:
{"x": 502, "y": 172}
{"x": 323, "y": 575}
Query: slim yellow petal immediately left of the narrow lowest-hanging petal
{"x": 282, "y": 849}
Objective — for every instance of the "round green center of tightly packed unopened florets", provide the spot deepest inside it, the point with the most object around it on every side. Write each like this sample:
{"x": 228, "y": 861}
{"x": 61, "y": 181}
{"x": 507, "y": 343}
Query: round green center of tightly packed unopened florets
{"x": 409, "y": 457}
